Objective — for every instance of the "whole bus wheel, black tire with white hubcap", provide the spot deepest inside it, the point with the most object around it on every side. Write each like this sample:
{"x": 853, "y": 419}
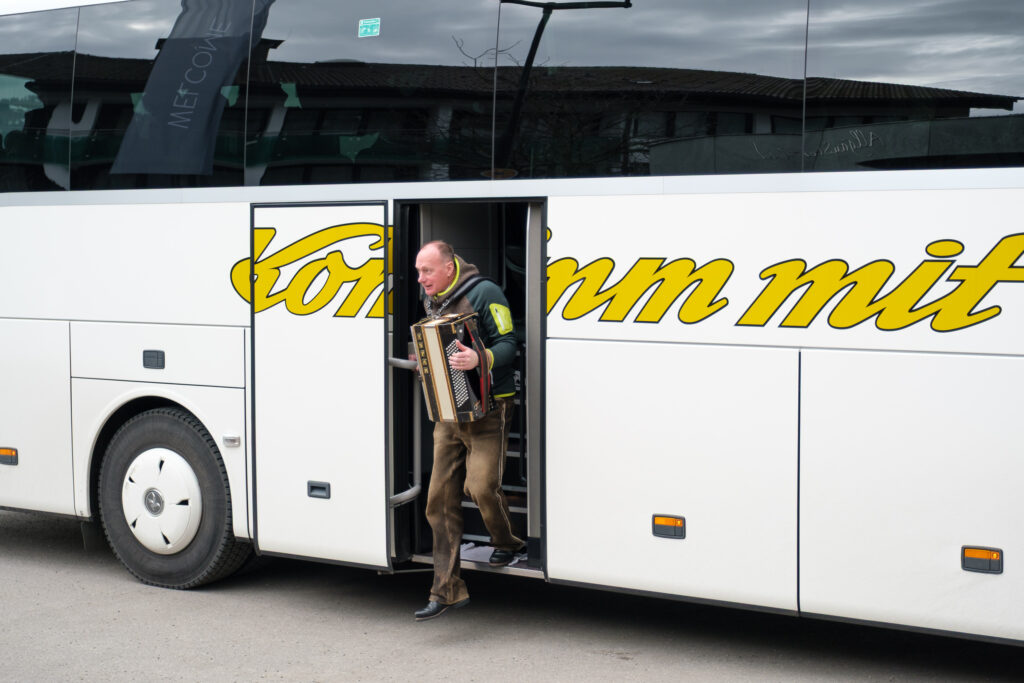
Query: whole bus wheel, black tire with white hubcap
{"x": 165, "y": 503}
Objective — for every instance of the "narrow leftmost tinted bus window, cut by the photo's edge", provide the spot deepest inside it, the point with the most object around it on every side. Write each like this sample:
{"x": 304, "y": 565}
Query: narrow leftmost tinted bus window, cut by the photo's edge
{"x": 36, "y": 61}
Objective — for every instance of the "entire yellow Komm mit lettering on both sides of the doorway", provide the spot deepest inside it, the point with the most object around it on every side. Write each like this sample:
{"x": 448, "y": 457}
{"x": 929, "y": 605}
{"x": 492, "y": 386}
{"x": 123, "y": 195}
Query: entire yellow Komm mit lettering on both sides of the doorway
{"x": 856, "y": 296}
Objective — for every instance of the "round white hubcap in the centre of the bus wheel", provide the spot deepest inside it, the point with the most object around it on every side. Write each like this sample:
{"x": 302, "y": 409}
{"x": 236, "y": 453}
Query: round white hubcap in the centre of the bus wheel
{"x": 162, "y": 501}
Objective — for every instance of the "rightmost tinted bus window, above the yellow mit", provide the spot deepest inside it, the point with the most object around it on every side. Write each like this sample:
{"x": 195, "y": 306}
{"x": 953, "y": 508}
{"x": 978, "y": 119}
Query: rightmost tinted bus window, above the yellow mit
{"x": 915, "y": 86}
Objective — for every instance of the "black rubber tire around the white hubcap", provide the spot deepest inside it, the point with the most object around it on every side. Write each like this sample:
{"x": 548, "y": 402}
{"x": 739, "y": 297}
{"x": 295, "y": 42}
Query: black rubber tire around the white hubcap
{"x": 211, "y": 551}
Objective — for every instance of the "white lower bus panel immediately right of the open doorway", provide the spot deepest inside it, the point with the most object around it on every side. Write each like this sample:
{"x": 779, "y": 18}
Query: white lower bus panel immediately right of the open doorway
{"x": 707, "y": 434}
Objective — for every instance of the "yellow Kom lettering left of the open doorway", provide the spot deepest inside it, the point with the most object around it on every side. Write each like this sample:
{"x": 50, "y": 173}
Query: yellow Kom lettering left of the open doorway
{"x": 300, "y": 295}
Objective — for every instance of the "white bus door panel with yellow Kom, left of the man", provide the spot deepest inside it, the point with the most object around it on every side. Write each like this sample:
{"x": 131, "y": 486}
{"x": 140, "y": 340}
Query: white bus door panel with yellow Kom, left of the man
{"x": 319, "y": 381}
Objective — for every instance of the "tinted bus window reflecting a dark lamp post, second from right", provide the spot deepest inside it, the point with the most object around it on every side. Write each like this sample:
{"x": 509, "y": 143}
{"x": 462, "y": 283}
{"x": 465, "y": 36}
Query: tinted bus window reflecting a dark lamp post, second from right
{"x": 661, "y": 88}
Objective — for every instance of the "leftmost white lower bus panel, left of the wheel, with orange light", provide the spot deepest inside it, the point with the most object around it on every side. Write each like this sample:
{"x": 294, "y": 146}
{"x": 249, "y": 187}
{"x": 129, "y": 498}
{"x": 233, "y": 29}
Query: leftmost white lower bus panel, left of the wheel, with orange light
{"x": 35, "y": 416}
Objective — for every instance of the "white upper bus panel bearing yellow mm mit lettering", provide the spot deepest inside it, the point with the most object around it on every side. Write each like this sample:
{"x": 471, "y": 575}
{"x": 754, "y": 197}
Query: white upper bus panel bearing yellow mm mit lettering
{"x": 777, "y": 270}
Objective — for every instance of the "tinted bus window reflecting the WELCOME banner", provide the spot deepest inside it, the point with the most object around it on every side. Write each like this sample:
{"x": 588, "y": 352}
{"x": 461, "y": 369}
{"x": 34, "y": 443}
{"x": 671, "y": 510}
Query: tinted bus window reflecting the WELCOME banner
{"x": 158, "y": 96}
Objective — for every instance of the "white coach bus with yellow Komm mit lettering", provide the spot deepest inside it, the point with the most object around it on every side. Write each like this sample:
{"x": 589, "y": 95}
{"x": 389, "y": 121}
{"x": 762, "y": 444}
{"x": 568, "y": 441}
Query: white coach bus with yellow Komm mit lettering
{"x": 763, "y": 257}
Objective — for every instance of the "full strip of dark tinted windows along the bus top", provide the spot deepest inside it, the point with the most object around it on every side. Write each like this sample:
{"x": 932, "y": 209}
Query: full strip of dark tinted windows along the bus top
{"x": 315, "y": 92}
